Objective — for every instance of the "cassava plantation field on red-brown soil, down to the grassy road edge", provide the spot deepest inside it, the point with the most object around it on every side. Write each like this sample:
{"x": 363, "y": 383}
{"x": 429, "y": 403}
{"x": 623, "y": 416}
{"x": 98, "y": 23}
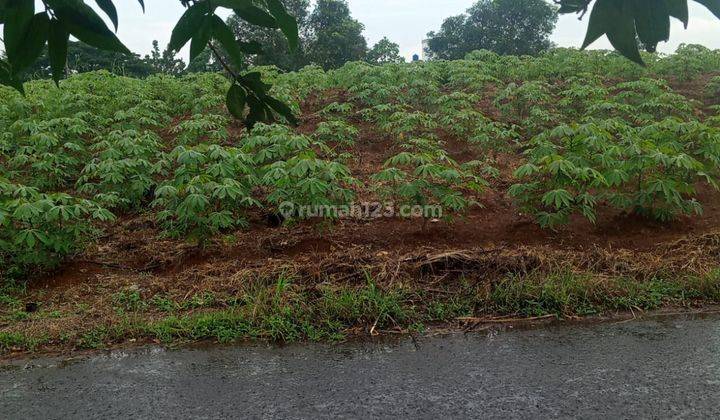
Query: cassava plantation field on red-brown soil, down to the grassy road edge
{"x": 575, "y": 183}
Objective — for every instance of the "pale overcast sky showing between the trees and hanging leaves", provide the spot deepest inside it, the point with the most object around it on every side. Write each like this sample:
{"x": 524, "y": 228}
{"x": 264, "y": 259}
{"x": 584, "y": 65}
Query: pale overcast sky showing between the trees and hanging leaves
{"x": 403, "y": 21}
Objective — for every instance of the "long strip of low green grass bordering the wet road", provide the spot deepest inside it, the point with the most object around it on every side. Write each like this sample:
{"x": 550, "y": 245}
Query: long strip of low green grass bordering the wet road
{"x": 283, "y": 311}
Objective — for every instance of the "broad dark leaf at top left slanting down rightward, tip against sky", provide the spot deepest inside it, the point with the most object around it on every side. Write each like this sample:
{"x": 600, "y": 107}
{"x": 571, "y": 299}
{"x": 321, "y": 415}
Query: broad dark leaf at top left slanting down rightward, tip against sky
{"x": 86, "y": 25}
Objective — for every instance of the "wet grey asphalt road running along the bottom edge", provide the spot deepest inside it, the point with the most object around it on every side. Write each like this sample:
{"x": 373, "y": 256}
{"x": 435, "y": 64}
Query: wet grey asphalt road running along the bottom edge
{"x": 662, "y": 368}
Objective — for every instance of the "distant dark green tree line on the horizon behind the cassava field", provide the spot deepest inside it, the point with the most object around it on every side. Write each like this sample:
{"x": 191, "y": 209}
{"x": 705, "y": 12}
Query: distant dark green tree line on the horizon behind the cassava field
{"x": 331, "y": 37}
